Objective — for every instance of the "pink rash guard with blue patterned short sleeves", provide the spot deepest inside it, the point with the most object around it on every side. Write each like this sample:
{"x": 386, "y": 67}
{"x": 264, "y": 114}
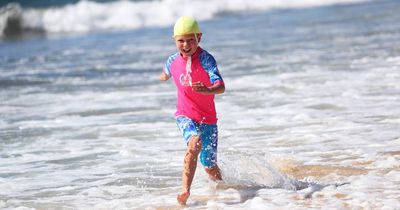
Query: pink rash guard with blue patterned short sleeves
{"x": 194, "y": 105}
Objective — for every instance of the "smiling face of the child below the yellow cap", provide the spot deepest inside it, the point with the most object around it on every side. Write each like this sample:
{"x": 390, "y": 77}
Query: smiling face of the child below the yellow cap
{"x": 187, "y": 44}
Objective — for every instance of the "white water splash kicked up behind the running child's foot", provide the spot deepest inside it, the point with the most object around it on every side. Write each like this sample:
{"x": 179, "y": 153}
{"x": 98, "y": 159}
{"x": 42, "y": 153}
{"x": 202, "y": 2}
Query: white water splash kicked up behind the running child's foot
{"x": 251, "y": 172}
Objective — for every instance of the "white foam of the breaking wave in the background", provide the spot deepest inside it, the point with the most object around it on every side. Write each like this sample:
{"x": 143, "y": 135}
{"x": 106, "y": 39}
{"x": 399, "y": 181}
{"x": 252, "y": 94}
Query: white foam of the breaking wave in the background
{"x": 87, "y": 16}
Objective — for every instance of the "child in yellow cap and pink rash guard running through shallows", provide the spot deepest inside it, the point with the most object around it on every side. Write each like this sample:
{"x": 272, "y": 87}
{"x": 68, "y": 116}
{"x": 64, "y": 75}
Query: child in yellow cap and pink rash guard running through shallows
{"x": 197, "y": 80}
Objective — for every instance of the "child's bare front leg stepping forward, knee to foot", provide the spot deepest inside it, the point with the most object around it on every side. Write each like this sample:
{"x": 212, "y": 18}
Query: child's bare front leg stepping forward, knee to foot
{"x": 189, "y": 168}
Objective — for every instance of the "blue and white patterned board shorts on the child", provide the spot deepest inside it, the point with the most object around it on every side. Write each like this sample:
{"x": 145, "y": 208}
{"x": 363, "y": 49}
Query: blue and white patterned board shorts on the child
{"x": 209, "y": 138}
